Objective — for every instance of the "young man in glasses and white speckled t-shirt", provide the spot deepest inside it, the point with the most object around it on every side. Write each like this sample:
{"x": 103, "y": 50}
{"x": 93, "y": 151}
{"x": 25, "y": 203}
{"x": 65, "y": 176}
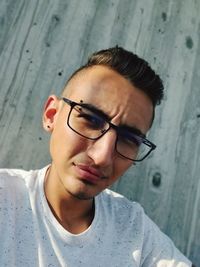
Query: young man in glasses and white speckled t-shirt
{"x": 64, "y": 215}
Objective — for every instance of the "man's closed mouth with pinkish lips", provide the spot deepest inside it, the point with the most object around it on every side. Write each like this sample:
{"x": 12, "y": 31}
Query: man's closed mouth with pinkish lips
{"x": 88, "y": 173}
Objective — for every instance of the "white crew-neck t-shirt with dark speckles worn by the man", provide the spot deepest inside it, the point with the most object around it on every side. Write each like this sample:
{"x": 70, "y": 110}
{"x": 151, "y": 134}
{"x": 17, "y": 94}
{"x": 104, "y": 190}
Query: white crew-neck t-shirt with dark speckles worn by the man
{"x": 121, "y": 235}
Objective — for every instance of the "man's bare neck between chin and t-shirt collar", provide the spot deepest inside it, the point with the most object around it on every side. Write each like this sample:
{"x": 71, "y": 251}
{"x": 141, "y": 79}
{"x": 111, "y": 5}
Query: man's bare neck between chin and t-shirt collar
{"x": 74, "y": 214}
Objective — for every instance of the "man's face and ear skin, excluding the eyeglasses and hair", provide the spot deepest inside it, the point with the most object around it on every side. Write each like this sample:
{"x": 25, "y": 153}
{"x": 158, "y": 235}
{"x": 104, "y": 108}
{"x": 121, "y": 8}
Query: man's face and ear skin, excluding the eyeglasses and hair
{"x": 83, "y": 167}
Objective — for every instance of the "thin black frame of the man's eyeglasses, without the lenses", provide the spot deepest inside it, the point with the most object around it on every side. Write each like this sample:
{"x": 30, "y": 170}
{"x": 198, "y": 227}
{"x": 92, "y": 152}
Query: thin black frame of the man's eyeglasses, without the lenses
{"x": 144, "y": 140}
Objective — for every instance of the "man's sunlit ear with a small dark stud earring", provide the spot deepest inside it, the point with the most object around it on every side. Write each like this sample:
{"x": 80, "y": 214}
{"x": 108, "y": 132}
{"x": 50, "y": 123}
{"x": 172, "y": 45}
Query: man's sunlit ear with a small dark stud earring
{"x": 51, "y": 109}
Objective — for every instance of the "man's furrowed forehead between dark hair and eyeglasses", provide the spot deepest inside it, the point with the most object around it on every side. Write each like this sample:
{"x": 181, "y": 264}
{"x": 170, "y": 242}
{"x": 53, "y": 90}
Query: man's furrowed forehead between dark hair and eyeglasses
{"x": 113, "y": 94}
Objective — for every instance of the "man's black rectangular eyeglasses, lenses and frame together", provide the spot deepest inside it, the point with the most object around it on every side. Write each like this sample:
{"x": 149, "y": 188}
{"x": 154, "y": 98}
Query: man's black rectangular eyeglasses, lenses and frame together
{"x": 91, "y": 123}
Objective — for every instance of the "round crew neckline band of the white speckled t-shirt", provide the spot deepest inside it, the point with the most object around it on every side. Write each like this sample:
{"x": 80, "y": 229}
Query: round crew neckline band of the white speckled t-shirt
{"x": 58, "y": 229}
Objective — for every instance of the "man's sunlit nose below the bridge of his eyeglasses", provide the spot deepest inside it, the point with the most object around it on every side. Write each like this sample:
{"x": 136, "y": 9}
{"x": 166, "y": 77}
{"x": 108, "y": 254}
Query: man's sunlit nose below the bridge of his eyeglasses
{"x": 102, "y": 150}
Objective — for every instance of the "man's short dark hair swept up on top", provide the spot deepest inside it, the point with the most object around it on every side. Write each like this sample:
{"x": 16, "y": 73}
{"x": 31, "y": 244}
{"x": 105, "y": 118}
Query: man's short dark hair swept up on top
{"x": 131, "y": 67}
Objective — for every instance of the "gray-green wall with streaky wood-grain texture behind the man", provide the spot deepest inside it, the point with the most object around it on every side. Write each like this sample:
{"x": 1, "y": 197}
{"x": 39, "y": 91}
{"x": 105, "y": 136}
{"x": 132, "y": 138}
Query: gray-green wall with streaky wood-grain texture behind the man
{"x": 43, "y": 41}
